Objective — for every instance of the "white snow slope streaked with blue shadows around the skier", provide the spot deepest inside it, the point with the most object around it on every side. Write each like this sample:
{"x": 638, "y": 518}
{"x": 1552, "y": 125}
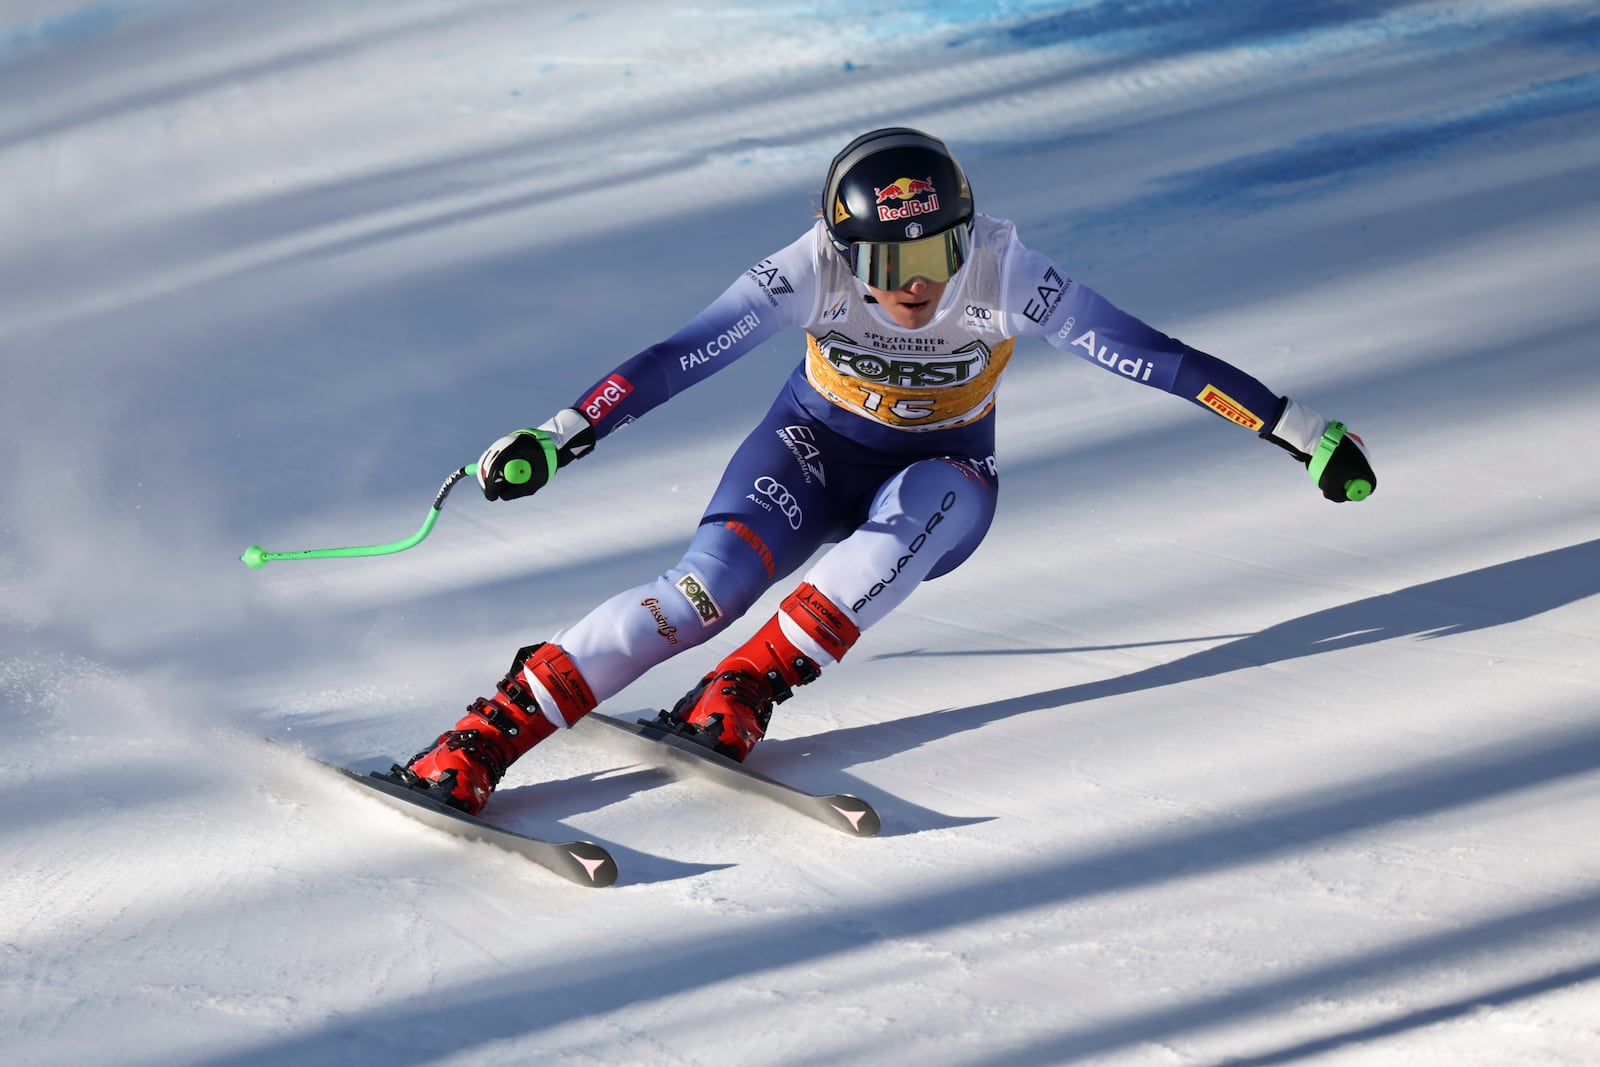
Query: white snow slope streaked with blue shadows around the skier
{"x": 1185, "y": 767}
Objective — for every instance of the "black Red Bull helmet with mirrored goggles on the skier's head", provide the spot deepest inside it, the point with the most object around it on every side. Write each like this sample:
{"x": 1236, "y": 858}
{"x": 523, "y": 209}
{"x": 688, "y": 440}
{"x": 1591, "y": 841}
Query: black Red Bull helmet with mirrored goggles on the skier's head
{"x": 898, "y": 207}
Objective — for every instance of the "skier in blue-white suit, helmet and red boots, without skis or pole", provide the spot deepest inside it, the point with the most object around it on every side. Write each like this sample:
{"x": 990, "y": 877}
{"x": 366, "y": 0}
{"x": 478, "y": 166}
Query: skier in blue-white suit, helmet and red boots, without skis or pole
{"x": 881, "y": 444}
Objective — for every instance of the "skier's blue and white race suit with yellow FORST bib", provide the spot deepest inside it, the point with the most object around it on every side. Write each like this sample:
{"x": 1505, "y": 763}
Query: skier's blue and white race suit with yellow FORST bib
{"x": 882, "y": 441}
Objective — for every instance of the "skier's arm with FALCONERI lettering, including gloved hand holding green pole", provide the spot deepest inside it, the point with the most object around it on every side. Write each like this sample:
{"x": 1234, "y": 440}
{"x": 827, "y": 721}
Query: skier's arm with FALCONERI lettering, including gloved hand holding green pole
{"x": 775, "y": 294}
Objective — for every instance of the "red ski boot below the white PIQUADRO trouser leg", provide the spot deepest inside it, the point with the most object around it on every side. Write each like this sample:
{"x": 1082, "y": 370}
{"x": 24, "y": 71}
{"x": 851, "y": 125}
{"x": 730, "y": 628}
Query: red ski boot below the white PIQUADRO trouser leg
{"x": 732, "y": 706}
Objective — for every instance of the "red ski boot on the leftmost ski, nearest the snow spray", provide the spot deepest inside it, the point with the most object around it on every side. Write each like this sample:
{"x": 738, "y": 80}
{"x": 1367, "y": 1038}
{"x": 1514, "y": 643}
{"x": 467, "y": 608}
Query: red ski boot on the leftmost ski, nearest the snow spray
{"x": 468, "y": 761}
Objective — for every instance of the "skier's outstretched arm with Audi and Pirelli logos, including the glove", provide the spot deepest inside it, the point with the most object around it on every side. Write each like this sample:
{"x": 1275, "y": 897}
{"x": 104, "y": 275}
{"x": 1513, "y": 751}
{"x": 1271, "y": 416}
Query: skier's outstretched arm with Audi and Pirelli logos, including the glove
{"x": 1042, "y": 302}
